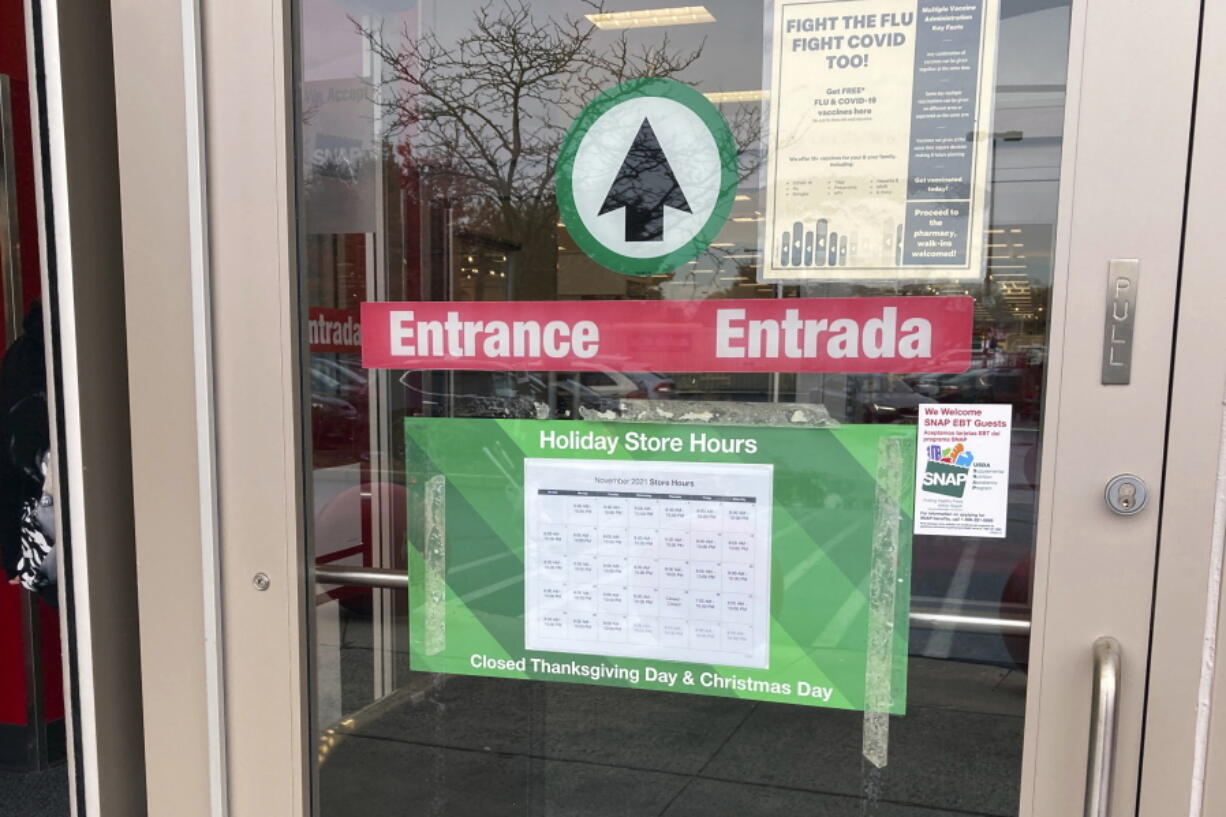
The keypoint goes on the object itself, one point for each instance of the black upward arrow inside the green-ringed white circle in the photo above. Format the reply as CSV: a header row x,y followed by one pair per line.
x,y
644,187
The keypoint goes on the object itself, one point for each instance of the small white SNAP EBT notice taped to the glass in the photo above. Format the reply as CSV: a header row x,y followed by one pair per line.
x,y
963,470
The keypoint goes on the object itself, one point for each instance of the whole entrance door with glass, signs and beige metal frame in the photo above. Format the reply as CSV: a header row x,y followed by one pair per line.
x,y
708,410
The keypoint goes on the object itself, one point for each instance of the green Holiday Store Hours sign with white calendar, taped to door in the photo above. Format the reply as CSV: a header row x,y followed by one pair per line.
x,y
748,562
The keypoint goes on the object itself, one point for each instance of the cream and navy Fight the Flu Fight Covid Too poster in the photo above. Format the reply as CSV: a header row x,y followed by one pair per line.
x,y
881,139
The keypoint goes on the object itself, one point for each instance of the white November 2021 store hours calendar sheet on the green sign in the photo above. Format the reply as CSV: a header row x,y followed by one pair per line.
x,y
649,560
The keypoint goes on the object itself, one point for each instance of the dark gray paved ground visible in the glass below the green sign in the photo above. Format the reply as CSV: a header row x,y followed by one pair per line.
x,y
471,748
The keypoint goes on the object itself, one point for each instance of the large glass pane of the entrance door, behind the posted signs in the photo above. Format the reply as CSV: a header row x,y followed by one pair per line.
x,y
433,154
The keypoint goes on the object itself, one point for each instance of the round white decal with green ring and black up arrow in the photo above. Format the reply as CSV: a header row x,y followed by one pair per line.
x,y
647,176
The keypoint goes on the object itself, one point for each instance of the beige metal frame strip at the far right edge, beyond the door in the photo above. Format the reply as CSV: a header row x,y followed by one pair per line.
x,y
1185,734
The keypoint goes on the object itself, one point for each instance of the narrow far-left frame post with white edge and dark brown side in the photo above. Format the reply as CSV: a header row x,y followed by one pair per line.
x,y
78,181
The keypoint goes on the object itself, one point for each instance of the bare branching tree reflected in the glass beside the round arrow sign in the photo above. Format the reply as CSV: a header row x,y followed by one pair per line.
x,y
480,120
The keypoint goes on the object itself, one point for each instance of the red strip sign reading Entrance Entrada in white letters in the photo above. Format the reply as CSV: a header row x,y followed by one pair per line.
x,y
783,336
